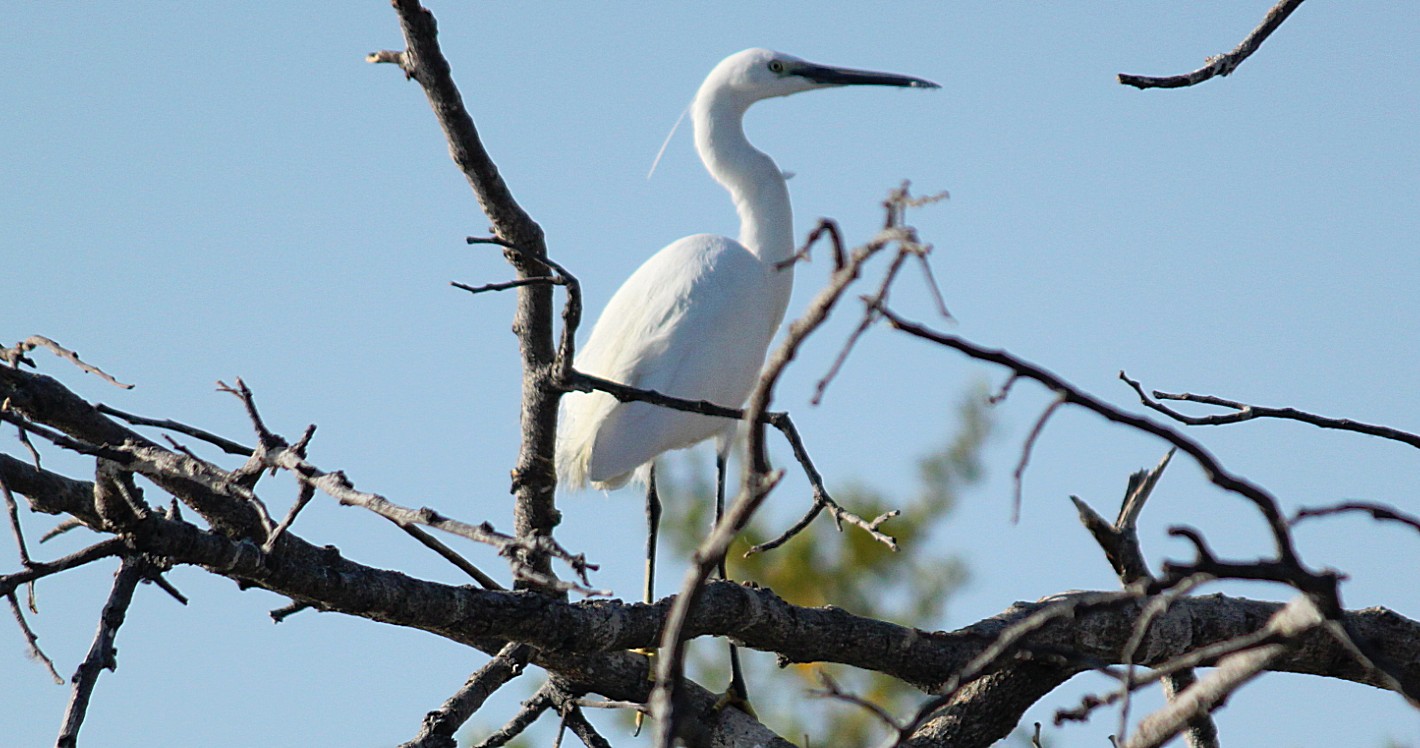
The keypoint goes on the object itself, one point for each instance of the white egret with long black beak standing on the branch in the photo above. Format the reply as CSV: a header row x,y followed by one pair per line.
x,y
697,320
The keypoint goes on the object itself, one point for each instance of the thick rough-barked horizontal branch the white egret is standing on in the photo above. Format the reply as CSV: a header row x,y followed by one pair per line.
x,y
756,618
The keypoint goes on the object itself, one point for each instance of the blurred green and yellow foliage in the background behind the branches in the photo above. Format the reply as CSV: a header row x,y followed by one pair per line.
x,y
848,570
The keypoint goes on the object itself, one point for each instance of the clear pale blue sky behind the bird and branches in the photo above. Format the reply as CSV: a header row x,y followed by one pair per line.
x,y
197,192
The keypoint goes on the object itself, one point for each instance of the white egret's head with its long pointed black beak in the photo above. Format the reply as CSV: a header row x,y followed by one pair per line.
x,y
759,75
